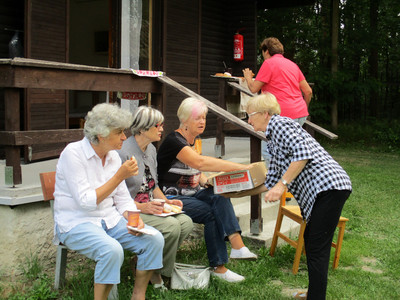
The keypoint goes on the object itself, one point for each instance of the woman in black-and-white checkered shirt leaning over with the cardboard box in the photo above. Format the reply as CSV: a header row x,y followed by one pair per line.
x,y
317,181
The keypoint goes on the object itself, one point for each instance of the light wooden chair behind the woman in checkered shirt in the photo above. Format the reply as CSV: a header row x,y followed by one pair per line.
x,y
293,212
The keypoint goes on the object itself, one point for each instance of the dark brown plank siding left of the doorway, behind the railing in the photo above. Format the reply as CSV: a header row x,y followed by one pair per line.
x,y
47,39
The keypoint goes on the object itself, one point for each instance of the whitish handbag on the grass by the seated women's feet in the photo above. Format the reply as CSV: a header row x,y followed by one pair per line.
x,y
185,276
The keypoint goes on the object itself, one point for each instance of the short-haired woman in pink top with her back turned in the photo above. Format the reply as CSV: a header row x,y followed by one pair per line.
x,y
282,78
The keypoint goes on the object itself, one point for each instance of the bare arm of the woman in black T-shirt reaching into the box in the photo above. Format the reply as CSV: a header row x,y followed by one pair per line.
x,y
207,163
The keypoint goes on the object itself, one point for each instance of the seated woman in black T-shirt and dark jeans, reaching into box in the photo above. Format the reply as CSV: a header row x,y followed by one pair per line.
x,y
180,176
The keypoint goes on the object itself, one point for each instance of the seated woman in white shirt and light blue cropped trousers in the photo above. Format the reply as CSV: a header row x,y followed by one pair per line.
x,y
92,203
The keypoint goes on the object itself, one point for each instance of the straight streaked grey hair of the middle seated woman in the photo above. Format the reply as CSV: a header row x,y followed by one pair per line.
x,y
144,118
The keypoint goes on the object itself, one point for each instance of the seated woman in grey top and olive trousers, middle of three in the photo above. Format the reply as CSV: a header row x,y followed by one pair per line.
x,y
146,128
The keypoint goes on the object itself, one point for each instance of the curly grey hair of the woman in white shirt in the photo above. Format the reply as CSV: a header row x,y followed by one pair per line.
x,y
103,119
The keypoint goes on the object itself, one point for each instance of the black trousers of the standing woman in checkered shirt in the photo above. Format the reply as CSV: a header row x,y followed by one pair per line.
x,y
318,239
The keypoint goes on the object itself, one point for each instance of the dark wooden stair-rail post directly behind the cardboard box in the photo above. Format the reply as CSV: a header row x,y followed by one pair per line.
x,y
256,220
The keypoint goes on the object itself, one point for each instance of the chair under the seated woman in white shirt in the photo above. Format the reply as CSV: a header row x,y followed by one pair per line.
x,y
48,181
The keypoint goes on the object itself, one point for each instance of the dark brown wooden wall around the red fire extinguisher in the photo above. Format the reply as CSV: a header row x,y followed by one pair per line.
x,y
198,37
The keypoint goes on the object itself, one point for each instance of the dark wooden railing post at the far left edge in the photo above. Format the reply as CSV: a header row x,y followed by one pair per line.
x,y
12,123
